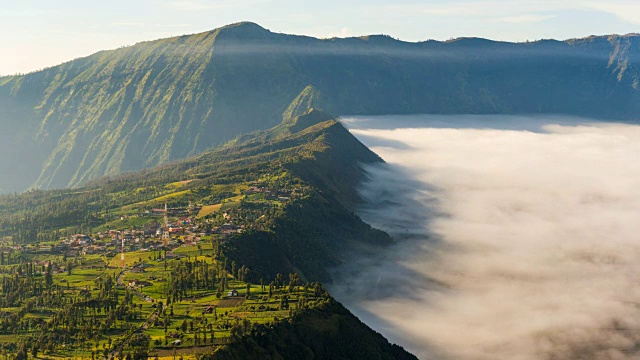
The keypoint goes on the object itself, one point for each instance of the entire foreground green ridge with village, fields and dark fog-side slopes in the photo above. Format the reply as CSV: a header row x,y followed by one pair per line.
x,y
194,257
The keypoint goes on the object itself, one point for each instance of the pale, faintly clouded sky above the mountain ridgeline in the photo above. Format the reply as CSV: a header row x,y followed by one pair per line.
x,y
41,33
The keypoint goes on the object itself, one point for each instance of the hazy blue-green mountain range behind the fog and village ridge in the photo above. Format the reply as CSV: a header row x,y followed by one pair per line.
x,y
159,101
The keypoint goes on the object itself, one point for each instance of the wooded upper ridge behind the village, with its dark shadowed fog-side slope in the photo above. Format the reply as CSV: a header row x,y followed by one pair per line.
x,y
311,152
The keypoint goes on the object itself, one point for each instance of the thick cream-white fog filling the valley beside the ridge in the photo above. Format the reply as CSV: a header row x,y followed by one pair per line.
x,y
519,238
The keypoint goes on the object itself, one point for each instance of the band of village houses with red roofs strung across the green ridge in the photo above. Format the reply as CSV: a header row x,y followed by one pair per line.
x,y
157,229
